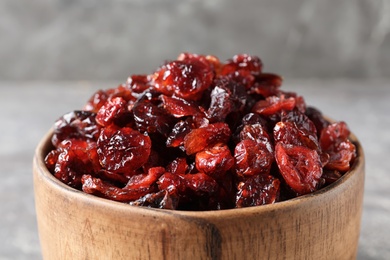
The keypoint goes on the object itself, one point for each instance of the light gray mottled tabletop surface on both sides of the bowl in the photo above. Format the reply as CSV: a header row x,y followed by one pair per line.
x,y
28,110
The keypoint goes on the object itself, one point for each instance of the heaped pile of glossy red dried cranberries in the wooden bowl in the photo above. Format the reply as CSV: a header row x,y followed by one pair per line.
x,y
198,134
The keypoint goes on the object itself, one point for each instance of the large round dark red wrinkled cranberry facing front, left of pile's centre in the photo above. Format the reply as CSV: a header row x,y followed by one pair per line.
x,y
123,150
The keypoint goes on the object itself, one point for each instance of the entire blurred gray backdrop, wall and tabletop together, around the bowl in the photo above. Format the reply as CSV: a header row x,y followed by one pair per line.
x,y
55,53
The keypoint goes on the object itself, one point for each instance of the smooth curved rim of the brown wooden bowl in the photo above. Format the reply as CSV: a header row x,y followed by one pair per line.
x,y
40,169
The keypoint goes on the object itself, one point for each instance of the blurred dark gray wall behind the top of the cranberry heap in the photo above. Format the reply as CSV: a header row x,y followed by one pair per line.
x,y
108,40
